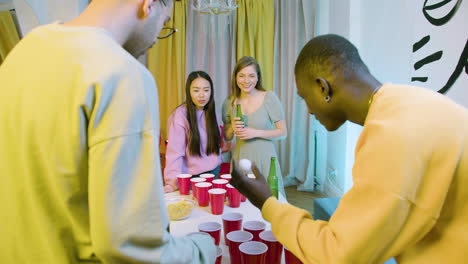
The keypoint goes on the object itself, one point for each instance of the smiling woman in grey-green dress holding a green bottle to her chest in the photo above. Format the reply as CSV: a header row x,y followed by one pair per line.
x,y
263,115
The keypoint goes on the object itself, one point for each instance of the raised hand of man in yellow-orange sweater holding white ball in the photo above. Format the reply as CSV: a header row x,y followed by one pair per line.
x,y
256,190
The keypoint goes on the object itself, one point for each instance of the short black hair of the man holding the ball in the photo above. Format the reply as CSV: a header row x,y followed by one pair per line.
x,y
331,53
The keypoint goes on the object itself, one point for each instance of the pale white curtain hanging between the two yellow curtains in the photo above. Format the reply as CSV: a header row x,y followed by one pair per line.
x,y
210,47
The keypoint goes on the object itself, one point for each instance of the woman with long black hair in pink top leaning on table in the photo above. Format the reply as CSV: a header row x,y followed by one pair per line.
x,y
194,139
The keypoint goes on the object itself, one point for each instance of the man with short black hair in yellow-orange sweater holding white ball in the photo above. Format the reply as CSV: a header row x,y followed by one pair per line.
x,y
409,198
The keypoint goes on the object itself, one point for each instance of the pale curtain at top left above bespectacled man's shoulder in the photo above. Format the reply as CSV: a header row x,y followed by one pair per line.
x,y
32,13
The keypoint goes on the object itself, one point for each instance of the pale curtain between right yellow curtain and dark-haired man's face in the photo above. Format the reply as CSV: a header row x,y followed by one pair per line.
x,y
294,26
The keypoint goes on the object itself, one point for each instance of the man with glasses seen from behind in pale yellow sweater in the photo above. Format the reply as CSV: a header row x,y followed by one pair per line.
x,y
80,174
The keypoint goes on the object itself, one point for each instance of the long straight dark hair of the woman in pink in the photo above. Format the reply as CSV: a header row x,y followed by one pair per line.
x,y
213,135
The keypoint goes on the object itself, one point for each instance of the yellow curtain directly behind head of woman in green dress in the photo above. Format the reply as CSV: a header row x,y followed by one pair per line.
x,y
256,33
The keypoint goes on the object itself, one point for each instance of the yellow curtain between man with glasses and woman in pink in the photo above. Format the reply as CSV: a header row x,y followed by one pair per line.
x,y
166,61
